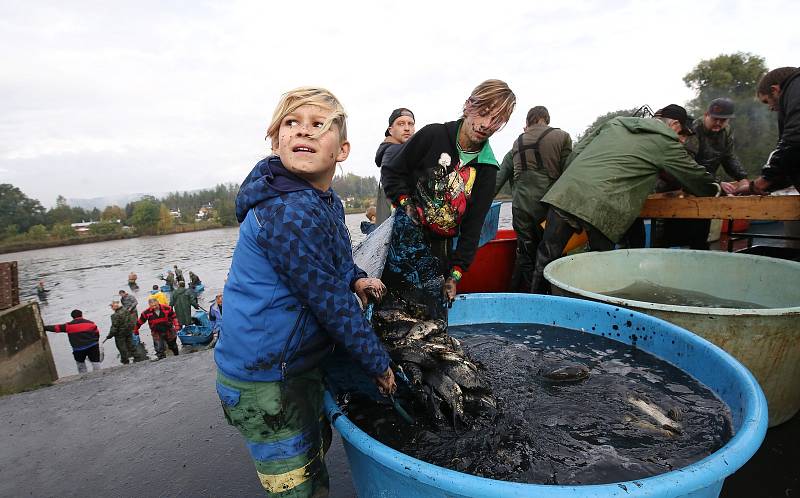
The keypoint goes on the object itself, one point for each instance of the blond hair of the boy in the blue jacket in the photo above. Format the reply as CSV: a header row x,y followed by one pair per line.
x,y
309,95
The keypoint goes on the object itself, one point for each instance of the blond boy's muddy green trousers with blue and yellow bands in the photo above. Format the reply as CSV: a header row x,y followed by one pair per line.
x,y
285,430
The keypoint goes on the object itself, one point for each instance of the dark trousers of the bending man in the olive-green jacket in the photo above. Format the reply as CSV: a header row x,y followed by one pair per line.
x,y
556,235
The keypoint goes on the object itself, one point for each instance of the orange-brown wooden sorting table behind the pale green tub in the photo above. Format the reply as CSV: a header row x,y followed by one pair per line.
x,y
752,207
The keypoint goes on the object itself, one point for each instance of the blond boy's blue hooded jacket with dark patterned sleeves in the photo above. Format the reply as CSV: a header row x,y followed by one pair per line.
x,y
289,290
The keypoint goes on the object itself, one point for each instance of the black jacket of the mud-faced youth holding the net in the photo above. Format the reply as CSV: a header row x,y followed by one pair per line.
x,y
417,158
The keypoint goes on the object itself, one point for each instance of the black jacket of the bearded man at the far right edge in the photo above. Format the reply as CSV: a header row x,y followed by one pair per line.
x,y
783,165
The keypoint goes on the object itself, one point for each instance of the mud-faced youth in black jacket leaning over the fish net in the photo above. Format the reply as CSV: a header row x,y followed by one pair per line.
x,y
443,179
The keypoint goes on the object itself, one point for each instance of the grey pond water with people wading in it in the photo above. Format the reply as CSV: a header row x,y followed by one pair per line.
x,y
89,276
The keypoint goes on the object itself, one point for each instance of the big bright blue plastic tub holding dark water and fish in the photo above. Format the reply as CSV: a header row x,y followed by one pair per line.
x,y
378,470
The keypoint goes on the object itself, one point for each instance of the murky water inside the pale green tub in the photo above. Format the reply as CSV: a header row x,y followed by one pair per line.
x,y
650,292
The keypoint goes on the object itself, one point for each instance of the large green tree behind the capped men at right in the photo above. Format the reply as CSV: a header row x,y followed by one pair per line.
x,y
736,76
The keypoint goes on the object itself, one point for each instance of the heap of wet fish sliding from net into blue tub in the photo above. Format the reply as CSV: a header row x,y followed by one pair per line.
x,y
441,377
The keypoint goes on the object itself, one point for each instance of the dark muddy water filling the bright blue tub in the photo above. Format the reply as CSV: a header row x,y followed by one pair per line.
x,y
635,416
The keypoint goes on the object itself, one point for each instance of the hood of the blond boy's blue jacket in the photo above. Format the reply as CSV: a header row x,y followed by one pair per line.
x,y
268,179
